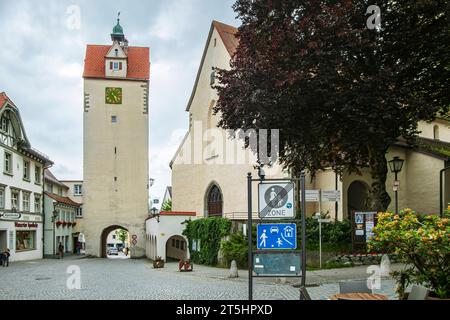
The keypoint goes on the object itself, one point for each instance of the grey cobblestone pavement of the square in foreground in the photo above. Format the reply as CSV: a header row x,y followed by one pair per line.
x,y
103,279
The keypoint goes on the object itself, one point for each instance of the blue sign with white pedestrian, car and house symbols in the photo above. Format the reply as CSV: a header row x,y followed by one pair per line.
x,y
279,236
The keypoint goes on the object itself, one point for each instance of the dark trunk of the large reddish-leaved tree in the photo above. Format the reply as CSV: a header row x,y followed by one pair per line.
x,y
379,199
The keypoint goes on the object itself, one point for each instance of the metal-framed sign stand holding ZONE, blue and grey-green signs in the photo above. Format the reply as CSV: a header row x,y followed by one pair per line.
x,y
276,242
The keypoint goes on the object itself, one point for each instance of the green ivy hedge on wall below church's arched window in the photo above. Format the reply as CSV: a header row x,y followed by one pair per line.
x,y
209,232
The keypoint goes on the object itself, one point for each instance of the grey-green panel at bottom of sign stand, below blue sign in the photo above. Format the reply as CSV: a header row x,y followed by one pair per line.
x,y
277,264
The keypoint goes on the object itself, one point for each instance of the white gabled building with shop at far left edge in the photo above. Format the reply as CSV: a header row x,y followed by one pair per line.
x,y
21,187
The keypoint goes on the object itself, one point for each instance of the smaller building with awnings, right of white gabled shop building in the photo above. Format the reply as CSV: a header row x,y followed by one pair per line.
x,y
60,217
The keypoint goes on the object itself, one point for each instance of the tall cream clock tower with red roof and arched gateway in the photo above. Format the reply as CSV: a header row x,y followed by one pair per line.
x,y
115,141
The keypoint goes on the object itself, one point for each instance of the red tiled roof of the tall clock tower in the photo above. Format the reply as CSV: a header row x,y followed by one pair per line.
x,y
138,62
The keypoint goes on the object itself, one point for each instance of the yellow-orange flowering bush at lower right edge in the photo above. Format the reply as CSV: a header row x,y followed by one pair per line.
x,y
423,243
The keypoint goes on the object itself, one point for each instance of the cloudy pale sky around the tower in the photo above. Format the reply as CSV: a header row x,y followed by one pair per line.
x,y
41,65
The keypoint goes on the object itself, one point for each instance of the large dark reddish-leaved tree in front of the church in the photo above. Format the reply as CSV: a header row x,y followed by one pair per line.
x,y
340,93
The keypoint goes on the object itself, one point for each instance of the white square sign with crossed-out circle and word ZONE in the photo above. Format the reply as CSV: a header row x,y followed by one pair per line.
x,y
276,200
